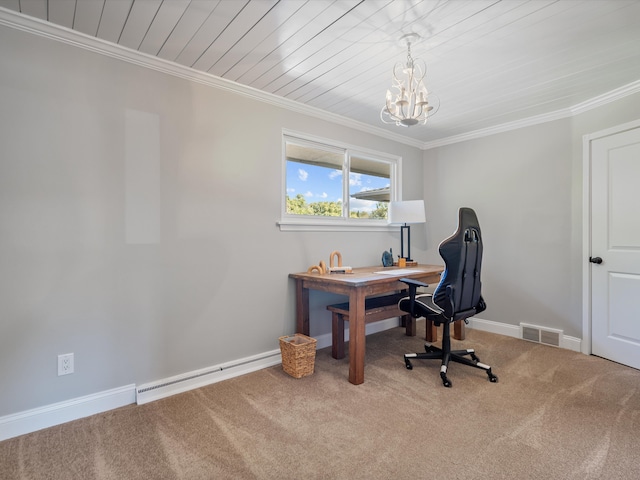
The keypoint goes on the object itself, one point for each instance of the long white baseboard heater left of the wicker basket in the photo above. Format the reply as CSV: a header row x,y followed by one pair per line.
x,y
206,376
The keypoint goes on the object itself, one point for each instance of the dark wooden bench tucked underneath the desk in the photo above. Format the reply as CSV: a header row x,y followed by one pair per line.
x,y
381,308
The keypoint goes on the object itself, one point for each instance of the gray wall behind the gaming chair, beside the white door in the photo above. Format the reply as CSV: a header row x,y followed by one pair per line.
x,y
526,186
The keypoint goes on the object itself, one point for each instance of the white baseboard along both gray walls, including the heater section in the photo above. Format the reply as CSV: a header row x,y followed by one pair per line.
x,y
38,418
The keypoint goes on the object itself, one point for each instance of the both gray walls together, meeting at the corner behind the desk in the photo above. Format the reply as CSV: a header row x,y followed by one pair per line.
x,y
210,285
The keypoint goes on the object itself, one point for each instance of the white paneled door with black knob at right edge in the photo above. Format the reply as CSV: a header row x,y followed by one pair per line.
x,y
615,239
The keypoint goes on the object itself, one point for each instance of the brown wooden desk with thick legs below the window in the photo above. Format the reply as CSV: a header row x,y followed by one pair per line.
x,y
363,282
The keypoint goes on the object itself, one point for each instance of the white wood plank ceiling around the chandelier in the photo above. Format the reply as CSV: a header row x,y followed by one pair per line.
x,y
490,62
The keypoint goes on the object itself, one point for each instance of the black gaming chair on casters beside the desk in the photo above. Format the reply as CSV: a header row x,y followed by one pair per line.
x,y
457,296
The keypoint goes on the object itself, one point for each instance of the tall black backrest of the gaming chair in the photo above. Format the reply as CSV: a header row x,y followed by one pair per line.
x,y
462,255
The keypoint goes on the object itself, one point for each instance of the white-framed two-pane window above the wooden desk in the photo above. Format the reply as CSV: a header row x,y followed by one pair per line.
x,y
327,184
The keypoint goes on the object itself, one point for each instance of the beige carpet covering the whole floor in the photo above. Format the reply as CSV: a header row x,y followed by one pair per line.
x,y
554,414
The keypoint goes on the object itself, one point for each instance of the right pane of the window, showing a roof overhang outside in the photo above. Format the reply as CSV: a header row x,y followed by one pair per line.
x,y
369,188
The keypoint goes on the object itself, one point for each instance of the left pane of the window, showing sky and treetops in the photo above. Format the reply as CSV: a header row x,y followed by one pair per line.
x,y
314,180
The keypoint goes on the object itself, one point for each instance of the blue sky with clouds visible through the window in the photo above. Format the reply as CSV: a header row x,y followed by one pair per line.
x,y
319,184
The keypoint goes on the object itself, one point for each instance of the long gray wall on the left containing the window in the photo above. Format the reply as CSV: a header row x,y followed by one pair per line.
x,y
195,278
